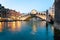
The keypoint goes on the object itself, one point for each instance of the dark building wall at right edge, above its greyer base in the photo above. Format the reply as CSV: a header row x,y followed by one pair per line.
x,y
57,11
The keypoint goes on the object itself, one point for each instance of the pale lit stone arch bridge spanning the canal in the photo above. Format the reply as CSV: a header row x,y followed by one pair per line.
x,y
29,16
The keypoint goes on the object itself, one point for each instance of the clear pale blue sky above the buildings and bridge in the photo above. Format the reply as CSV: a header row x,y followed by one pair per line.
x,y
25,6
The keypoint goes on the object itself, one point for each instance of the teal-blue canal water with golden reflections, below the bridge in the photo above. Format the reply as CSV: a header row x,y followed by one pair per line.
x,y
26,30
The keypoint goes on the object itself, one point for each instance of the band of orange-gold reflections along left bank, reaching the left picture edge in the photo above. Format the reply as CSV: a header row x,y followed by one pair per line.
x,y
11,26
